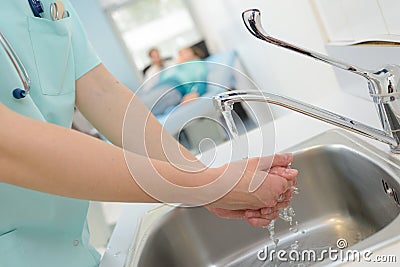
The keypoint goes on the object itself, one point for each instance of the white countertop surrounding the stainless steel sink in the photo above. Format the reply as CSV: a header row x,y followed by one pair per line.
x,y
290,130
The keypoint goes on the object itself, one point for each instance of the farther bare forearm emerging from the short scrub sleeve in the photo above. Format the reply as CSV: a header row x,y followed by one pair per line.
x,y
104,102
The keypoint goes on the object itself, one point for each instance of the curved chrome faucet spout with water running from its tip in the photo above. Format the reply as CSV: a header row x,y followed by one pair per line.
x,y
225,101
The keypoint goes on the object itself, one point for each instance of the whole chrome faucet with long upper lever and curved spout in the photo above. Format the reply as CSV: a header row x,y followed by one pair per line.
x,y
383,87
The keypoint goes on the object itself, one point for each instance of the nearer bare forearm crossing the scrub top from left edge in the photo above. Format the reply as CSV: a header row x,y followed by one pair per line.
x,y
64,162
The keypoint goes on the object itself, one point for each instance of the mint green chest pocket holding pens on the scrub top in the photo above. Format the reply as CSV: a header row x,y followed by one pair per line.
x,y
52,49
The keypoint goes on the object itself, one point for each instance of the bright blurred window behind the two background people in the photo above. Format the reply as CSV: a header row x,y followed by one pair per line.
x,y
143,24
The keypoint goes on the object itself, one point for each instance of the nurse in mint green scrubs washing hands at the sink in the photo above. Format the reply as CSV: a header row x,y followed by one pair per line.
x,y
48,171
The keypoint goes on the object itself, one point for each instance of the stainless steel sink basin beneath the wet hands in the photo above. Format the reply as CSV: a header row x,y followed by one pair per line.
x,y
348,191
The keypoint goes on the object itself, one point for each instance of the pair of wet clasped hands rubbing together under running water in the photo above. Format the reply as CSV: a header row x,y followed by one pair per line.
x,y
262,205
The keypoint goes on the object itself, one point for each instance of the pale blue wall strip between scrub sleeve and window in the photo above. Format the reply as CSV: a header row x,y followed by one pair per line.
x,y
105,42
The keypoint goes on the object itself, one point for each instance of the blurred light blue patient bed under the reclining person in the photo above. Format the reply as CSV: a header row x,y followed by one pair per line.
x,y
183,118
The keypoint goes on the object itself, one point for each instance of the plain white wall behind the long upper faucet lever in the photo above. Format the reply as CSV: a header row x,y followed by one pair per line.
x,y
273,69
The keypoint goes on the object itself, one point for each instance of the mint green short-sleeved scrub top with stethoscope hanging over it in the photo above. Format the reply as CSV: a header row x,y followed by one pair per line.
x,y
37,229
